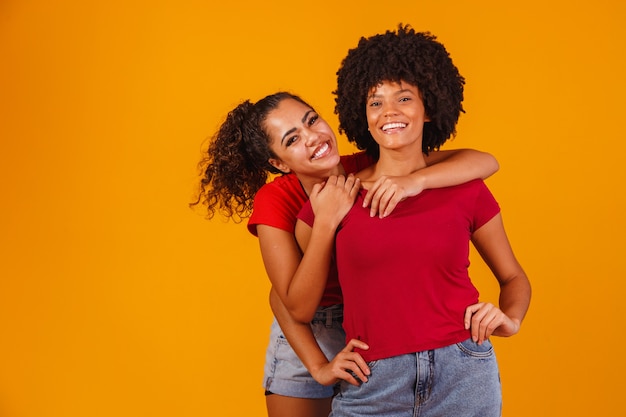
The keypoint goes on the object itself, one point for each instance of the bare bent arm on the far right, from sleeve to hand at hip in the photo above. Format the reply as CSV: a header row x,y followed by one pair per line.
x,y
485,319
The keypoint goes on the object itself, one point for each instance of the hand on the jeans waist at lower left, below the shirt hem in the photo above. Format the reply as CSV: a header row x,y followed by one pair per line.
x,y
345,361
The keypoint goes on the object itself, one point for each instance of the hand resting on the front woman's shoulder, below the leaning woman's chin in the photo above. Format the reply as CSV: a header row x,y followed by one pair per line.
x,y
333,199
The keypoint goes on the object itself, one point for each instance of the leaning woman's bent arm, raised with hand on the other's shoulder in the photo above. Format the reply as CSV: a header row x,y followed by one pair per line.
x,y
299,281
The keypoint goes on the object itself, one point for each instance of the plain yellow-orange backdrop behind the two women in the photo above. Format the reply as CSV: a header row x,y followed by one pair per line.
x,y
118,300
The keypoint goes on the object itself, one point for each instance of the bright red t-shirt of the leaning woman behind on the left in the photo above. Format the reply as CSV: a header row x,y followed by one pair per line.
x,y
277,204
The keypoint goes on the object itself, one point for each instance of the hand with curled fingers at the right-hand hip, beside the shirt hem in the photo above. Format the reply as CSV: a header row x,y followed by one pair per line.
x,y
485,319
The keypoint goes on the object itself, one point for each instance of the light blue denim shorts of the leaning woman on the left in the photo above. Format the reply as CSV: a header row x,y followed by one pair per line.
x,y
284,372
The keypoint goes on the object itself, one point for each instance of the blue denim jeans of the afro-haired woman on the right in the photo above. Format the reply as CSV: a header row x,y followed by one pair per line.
x,y
460,380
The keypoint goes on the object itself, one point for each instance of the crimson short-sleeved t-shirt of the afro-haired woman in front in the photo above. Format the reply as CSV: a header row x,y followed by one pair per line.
x,y
405,278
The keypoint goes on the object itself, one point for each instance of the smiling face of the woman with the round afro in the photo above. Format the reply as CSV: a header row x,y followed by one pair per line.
x,y
396,115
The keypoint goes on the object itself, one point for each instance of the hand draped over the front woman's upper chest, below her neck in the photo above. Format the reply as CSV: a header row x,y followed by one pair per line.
x,y
388,191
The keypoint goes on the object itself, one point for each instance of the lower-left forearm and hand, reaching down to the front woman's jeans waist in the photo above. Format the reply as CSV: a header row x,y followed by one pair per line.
x,y
302,341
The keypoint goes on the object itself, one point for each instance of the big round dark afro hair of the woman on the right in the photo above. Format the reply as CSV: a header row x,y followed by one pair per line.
x,y
409,56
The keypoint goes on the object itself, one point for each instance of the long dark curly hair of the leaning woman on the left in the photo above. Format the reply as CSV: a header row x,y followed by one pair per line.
x,y
236,165
